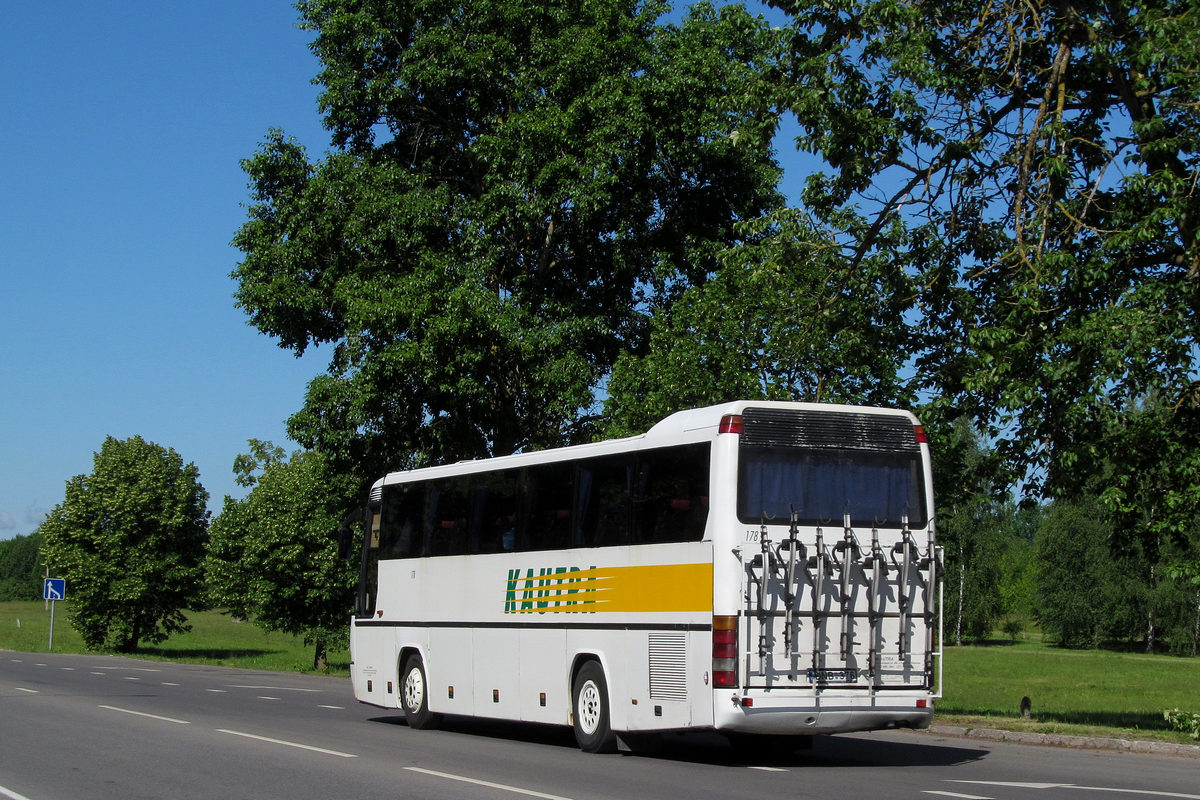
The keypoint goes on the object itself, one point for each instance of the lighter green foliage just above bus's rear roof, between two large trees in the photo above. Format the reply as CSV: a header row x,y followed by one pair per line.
x,y
784,318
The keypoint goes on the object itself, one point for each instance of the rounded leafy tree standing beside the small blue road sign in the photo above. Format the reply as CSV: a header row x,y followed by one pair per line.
x,y
129,539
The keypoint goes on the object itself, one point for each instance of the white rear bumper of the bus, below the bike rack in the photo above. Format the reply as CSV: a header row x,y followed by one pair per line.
x,y
791,714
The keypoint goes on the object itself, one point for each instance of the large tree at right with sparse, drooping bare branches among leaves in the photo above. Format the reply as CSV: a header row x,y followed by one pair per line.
x,y
1034,167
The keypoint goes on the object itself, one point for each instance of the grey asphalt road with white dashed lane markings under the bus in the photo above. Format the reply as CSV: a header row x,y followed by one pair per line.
x,y
101,727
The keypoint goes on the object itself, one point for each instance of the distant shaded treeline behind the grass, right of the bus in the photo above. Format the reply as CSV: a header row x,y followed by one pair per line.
x,y
1064,569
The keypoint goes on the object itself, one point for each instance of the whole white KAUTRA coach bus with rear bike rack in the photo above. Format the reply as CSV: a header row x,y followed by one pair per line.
x,y
755,568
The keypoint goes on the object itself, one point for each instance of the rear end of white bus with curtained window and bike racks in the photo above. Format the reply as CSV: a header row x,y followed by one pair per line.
x,y
827,588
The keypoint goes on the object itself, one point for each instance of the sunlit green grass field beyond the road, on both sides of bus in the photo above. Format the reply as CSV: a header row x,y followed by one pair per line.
x,y
1093,693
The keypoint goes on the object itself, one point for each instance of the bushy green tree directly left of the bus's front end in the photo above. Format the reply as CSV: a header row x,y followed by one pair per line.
x,y
273,556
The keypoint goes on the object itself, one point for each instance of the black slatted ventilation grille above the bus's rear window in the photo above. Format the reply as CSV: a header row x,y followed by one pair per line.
x,y
829,430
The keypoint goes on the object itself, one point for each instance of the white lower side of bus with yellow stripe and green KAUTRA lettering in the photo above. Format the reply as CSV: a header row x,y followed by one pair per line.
x,y
503,630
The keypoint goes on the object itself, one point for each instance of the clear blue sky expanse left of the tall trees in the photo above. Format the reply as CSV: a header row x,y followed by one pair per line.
x,y
122,133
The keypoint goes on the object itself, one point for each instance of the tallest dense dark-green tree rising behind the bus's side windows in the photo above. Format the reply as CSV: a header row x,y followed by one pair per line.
x,y
511,185
